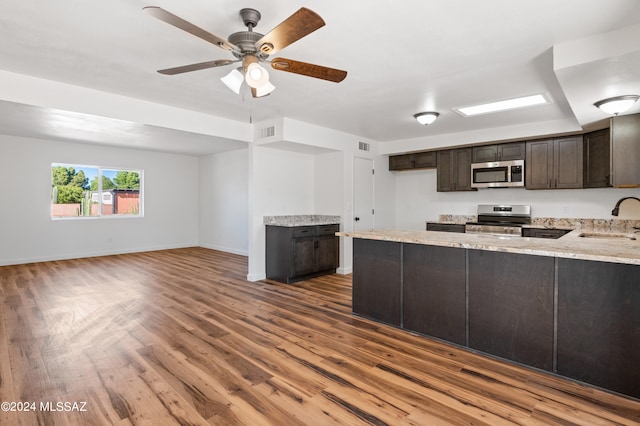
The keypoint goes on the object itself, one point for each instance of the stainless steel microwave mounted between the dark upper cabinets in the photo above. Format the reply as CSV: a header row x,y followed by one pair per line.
x,y
497,174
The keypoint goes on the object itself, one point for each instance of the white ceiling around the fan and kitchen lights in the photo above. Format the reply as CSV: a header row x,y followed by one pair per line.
x,y
402,57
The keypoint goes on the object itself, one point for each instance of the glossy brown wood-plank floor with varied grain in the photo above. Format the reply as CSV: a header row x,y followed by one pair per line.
x,y
180,337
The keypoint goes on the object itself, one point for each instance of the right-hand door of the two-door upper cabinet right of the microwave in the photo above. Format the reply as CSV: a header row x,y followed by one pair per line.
x,y
568,162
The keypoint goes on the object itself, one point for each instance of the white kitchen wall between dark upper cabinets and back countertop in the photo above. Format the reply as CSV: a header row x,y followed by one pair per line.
x,y
417,200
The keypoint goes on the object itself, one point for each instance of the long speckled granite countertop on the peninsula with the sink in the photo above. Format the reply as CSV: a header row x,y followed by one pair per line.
x,y
617,248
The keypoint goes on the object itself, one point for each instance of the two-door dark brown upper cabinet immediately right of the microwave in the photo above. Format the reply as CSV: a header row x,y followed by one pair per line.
x,y
554,163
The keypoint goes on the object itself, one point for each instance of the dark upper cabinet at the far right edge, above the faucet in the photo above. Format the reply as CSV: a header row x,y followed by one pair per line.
x,y
625,151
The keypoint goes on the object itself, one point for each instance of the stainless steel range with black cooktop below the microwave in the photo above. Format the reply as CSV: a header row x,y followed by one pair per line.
x,y
502,220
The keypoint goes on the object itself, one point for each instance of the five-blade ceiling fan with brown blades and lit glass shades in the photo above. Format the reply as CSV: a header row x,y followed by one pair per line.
x,y
251,48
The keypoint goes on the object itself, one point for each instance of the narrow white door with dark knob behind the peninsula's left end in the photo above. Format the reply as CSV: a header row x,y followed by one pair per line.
x,y
362,194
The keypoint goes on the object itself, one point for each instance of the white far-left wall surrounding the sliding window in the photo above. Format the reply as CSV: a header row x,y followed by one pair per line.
x,y
28,234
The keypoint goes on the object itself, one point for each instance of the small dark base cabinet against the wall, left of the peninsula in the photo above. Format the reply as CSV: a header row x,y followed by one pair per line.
x,y
301,252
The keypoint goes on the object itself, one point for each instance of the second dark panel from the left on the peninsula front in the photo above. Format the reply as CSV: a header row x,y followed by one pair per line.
x,y
434,291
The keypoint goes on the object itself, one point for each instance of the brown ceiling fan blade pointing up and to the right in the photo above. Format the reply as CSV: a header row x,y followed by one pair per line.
x,y
296,26
